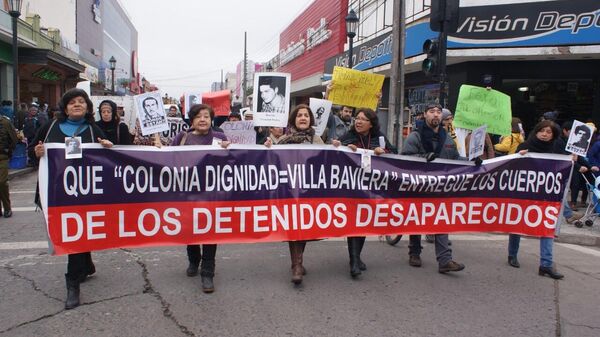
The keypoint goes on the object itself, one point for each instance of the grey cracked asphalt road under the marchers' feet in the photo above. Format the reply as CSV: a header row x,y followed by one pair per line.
x,y
145,292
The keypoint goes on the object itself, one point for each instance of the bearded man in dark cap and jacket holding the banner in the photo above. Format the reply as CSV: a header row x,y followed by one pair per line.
x,y
431,141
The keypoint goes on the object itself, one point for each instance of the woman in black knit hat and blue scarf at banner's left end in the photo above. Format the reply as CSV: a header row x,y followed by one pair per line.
x,y
76,119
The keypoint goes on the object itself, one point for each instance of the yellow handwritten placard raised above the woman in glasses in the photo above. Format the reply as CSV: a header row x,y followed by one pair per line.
x,y
355,88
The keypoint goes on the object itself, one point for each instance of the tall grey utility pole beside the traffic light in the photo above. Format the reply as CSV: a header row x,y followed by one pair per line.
x,y
396,93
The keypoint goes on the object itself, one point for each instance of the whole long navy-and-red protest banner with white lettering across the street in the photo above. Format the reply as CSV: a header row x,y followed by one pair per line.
x,y
204,194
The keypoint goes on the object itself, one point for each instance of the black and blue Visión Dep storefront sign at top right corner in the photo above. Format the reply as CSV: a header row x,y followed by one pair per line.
x,y
528,24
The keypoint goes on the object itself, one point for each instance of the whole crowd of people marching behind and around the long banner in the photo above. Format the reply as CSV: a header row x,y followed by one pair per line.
x,y
356,128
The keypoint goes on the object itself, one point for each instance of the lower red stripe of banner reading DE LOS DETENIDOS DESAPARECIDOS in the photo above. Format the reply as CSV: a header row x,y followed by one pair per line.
x,y
75,229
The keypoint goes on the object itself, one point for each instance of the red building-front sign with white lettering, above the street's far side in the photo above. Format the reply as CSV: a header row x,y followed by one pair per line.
x,y
314,36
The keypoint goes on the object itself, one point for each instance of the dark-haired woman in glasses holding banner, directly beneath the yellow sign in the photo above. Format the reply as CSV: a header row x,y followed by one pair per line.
x,y
364,134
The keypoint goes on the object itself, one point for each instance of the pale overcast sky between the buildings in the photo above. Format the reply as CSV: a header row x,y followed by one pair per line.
x,y
184,44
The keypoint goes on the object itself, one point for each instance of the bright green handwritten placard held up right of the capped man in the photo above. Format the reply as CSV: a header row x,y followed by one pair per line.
x,y
480,106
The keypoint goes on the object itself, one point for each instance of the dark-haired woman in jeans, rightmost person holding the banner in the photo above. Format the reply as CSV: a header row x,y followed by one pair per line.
x,y
541,140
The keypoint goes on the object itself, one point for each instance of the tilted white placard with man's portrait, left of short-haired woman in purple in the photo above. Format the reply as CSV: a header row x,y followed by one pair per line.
x,y
151,113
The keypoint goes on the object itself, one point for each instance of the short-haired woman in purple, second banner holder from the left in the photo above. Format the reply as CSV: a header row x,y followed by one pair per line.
x,y
201,133
